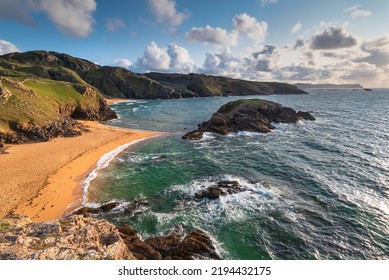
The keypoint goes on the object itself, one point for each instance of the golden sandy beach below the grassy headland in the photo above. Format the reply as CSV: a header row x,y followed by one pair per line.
x,y
40,180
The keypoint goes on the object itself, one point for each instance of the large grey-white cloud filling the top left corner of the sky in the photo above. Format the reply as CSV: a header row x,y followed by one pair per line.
x,y
73,17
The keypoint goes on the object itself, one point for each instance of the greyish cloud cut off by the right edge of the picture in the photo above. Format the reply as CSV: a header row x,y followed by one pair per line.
x,y
378,52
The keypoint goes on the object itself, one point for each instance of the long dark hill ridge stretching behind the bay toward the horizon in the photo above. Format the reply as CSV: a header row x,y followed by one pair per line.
x,y
116,82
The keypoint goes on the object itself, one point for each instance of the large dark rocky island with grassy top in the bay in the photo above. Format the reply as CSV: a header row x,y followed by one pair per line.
x,y
253,115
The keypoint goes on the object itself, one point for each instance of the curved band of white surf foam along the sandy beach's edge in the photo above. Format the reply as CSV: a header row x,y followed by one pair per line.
x,y
103,163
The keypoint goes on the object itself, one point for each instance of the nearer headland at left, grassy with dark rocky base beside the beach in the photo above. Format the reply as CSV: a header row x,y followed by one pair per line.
x,y
41,102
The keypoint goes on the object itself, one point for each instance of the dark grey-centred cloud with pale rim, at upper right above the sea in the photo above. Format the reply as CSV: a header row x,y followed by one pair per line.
x,y
334,38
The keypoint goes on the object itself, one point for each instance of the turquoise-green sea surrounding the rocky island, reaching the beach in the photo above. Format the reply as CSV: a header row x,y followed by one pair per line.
x,y
314,190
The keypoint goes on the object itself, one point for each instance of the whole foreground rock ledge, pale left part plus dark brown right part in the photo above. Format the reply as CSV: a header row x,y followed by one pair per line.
x,y
86,238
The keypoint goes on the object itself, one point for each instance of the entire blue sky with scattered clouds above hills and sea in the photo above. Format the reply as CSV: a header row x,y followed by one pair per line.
x,y
332,41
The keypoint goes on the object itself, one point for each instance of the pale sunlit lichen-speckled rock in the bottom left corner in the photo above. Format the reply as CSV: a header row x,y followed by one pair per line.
x,y
75,237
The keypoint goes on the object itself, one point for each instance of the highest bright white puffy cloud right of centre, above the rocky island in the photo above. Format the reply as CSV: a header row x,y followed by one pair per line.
x,y
250,26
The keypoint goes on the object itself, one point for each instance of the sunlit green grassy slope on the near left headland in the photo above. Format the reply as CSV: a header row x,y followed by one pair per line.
x,y
35,101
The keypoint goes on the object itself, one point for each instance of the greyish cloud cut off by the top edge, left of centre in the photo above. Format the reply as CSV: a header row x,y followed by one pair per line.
x,y
166,13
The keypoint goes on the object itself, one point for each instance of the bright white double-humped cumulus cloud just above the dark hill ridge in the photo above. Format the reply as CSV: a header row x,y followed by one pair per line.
x,y
174,58
